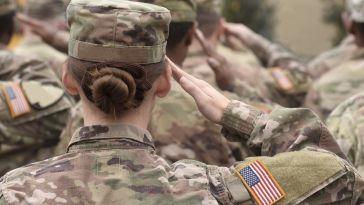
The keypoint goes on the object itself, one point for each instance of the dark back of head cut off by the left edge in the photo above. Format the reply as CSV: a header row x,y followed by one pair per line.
x,y
7,11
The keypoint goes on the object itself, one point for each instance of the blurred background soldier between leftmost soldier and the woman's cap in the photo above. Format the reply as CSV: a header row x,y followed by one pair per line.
x,y
51,13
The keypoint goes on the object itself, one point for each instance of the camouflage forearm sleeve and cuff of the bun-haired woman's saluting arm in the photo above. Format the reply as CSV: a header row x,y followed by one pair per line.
x,y
280,131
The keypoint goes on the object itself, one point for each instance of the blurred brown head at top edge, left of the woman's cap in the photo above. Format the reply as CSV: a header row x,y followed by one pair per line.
x,y
44,10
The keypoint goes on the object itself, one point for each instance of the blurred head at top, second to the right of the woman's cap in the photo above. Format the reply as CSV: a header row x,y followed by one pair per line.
x,y
208,15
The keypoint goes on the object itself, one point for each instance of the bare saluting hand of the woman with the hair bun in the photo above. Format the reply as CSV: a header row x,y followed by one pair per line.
x,y
209,101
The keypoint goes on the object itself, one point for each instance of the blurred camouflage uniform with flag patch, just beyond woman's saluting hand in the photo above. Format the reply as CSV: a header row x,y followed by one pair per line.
x,y
286,84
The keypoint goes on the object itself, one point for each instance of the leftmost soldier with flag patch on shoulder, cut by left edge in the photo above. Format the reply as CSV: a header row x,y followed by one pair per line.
x,y
32,103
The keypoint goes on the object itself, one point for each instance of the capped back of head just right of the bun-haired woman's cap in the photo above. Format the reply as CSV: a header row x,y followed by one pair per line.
x,y
183,14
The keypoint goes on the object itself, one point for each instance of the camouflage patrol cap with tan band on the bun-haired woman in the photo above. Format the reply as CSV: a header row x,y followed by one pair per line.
x,y
117,31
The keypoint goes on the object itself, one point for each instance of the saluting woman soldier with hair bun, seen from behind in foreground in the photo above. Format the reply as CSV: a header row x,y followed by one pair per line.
x,y
112,160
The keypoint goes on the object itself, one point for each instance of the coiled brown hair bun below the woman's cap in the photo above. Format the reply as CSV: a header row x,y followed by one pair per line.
x,y
113,90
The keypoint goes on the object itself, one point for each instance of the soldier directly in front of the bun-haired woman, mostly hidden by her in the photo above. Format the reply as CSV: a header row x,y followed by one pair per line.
x,y
179,133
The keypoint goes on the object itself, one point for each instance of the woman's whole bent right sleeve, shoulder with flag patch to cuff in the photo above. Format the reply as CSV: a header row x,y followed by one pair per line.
x,y
295,151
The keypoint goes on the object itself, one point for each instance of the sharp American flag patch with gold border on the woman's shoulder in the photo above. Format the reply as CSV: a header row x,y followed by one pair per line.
x,y
261,184
